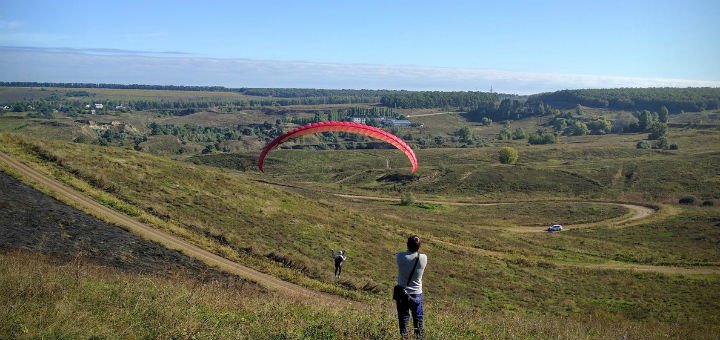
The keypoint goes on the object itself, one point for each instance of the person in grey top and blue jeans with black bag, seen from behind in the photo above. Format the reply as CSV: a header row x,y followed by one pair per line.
x,y
411,266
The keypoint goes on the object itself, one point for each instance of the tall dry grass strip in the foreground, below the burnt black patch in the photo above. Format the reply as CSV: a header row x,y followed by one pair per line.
x,y
80,300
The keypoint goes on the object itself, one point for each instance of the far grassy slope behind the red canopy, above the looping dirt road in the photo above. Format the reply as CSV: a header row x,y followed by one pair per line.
x,y
598,167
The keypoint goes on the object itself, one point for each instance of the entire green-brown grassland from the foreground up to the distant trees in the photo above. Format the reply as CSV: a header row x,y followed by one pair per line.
x,y
492,271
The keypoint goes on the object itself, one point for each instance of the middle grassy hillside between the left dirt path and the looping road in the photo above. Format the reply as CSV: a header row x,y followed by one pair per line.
x,y
475,267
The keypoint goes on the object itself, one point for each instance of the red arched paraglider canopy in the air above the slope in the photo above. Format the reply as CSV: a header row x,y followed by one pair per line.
x,y
342,127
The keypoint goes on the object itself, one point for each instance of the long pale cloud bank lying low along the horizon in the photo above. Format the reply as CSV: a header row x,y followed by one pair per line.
x,y
121,66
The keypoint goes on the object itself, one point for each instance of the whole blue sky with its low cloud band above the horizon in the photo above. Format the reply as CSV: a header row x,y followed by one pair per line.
x,y
511,46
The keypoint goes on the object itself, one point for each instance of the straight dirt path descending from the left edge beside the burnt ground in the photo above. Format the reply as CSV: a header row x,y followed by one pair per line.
x,y
92,207
